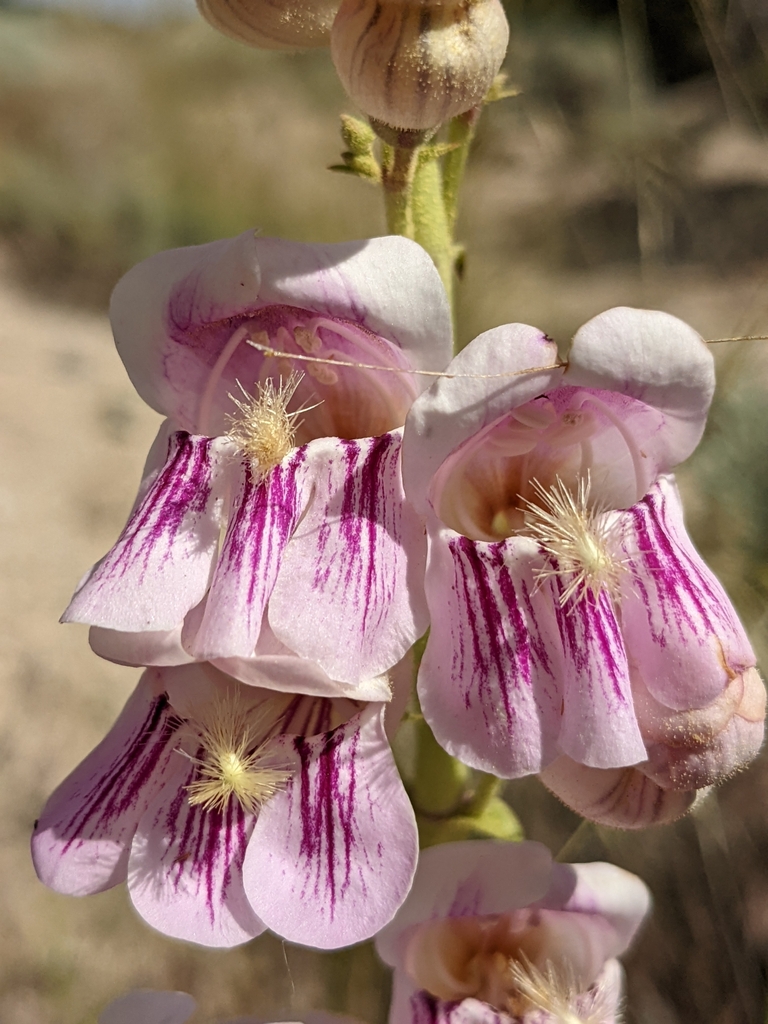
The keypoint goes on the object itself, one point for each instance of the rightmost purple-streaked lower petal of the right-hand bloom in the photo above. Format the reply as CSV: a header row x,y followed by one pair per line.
x,y
680,629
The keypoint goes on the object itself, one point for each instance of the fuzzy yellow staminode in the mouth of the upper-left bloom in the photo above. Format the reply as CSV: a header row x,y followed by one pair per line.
x,y
264,430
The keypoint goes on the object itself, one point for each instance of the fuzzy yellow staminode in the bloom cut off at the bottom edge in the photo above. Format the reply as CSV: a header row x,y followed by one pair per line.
x,y
557,993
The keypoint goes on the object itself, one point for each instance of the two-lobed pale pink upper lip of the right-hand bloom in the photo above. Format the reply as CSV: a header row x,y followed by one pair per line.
x,y
648,377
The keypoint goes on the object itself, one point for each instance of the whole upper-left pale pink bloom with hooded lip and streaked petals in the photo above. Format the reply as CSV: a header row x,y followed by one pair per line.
x,y
316,533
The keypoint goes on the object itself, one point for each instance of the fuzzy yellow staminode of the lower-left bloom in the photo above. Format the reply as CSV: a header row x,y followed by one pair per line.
x,y
233,762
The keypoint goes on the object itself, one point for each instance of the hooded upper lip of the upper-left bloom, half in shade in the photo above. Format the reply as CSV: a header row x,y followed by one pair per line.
x,y
182,318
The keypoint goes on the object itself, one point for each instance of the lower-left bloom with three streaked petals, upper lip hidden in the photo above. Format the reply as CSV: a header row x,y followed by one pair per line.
x,y
230,809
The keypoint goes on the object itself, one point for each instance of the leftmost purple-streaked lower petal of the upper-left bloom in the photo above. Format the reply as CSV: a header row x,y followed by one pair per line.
x,y
160,567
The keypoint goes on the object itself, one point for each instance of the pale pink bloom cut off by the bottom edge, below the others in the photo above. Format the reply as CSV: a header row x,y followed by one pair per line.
x,y
494,933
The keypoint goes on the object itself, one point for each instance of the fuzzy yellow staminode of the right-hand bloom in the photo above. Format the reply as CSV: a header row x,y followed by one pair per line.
x,y
579,536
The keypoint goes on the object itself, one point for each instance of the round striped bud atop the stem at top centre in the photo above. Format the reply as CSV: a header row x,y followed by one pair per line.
x,y
414,64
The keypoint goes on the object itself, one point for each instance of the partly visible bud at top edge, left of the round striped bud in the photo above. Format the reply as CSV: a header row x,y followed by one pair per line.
x,y
273,25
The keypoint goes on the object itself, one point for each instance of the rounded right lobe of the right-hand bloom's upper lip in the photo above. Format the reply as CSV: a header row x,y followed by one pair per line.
x,y
654,358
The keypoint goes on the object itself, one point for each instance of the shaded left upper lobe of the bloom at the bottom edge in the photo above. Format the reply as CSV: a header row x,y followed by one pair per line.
x,y
468,880
